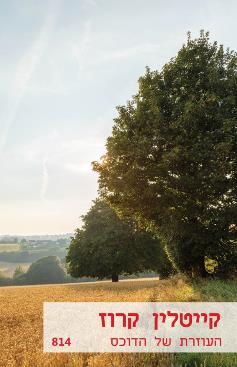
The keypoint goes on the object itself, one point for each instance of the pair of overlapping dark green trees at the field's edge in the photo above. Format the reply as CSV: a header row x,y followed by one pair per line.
x,y
168,179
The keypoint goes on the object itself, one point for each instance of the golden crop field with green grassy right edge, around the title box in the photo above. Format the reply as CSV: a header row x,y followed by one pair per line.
x,y
22,327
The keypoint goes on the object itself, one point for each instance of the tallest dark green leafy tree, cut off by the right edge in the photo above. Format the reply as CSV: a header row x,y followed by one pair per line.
x,y
171,161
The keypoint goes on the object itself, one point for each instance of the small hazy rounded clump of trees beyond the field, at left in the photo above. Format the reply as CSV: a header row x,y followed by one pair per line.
x,y
43,271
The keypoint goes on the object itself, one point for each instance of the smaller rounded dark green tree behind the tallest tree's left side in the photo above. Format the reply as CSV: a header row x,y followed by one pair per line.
x,y
106,247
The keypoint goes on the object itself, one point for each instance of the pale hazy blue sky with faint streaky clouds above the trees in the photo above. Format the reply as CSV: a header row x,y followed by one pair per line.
x,y
64,67
